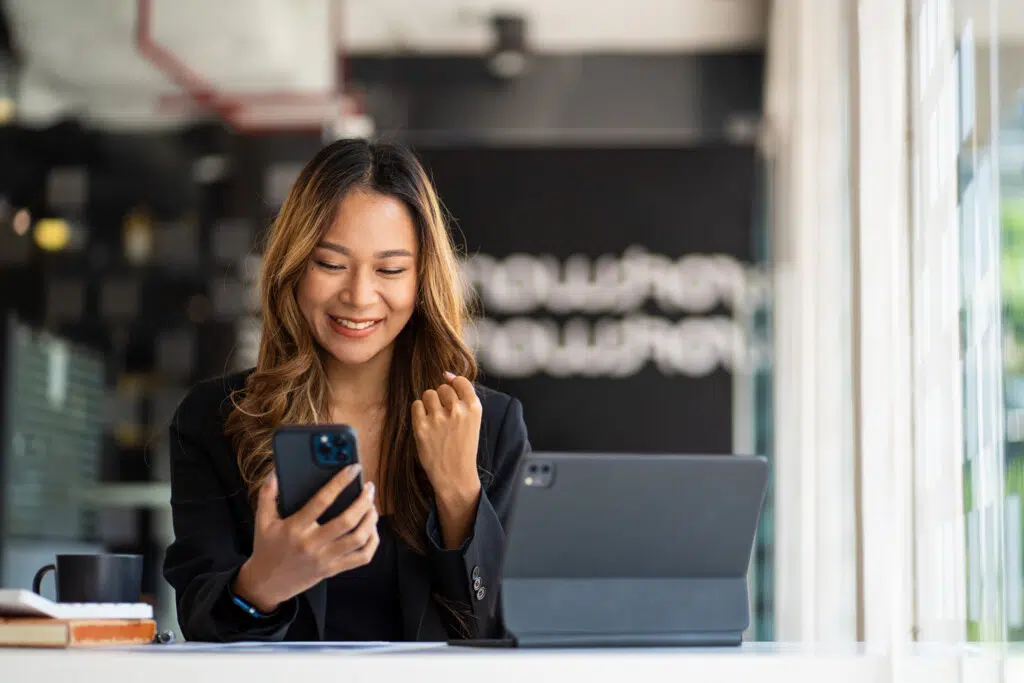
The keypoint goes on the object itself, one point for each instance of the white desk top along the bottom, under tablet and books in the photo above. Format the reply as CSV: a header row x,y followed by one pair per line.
x,y
766,663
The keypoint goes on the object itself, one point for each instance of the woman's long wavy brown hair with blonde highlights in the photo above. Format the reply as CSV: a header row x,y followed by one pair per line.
x,y
289,385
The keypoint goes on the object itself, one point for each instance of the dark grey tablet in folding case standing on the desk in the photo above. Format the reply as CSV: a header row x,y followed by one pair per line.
x,y
626,549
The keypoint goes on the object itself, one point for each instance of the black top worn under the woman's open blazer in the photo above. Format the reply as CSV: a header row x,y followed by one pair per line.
x,y
363,604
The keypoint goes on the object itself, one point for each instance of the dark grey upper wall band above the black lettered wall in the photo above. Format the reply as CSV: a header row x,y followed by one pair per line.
x,y
565,99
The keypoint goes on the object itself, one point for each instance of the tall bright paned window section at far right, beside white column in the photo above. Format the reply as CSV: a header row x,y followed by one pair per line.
x,y
961,510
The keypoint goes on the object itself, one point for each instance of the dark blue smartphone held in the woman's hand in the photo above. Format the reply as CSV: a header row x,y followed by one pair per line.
x,y
308,457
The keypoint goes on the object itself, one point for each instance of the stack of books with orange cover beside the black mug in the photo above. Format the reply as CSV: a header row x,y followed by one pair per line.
x,y
28,620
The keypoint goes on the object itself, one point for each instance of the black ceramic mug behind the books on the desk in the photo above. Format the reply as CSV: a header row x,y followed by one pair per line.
x,y
102,578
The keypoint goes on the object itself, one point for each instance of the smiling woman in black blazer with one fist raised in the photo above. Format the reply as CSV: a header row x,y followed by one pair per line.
x,y
363,311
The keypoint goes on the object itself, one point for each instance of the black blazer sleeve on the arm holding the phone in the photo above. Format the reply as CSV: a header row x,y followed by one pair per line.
x,y
203,561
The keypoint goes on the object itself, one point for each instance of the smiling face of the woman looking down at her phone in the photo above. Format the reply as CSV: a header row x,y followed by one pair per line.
x,y
360,287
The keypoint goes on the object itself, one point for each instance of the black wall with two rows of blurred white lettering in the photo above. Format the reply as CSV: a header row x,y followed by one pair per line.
x,y
646,388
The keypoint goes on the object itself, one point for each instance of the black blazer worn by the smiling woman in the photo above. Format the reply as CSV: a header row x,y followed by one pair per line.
x,y
215,525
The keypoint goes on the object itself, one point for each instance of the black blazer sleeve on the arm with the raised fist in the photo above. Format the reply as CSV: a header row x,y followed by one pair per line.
x,y
468,578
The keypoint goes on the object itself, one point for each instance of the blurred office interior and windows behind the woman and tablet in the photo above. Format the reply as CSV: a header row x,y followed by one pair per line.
x,y
789,228
